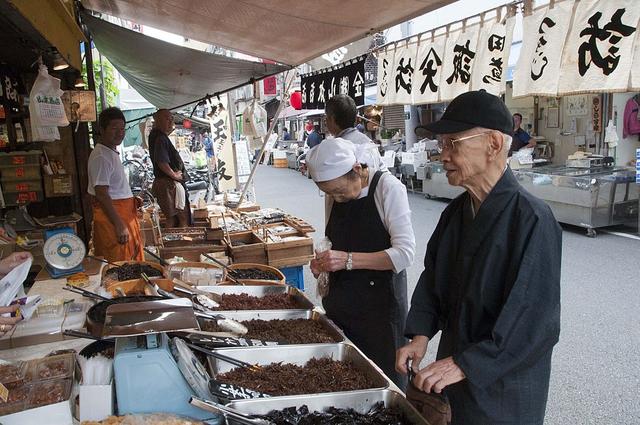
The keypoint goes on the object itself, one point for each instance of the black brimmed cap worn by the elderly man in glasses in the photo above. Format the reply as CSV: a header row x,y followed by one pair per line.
x,y
469,110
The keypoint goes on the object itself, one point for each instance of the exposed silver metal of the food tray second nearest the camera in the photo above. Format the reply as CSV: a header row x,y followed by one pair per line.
x,y
299,355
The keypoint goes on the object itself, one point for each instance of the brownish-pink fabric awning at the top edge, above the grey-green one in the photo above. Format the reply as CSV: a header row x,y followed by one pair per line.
x,y
287,31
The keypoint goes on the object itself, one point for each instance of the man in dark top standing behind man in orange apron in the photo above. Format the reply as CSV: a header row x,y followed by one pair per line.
x,y
169,186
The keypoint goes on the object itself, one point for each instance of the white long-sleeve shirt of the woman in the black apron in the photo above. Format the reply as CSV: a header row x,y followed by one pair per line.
x,y
392,204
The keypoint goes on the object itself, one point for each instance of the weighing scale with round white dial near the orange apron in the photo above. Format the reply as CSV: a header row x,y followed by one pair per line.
x,y
63,251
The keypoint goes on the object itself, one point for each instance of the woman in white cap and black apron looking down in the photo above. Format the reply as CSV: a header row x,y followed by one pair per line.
x,y
371,234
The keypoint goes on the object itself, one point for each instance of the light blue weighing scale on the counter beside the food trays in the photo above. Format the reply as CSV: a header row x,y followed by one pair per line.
x,y
150,379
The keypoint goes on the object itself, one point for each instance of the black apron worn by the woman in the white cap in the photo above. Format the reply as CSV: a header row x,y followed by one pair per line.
x,y
362,302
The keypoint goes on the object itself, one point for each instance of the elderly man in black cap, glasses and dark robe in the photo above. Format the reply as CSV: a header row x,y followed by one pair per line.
x,y
491,282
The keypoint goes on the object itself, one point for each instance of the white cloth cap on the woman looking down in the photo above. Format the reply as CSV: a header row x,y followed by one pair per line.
x,y
332,158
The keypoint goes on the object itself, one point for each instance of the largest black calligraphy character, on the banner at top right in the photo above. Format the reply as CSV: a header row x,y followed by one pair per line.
x,y
613,32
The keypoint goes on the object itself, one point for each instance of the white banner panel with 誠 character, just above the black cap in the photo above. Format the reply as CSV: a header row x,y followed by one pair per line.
x,y
459,56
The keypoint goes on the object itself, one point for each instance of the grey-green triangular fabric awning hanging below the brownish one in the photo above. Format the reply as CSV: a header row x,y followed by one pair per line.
x,y
166,74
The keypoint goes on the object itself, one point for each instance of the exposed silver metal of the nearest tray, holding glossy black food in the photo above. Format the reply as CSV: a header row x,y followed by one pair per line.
x,y
361,401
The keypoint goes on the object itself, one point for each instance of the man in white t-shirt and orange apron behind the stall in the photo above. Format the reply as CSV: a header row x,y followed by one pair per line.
x,y
116,231
